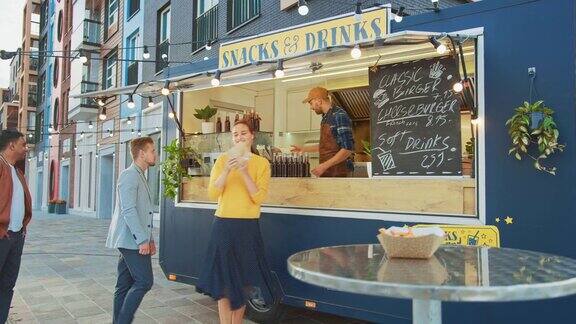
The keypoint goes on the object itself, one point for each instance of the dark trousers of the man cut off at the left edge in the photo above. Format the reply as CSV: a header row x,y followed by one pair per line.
x,y
10,257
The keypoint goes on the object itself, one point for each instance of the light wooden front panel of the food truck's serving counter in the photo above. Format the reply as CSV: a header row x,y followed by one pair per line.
x,y
442,196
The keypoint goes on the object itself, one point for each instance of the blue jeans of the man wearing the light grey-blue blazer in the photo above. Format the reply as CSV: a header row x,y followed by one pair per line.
x,y
135,279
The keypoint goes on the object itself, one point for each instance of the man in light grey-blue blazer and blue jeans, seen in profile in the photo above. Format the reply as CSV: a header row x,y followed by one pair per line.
x,y
131,232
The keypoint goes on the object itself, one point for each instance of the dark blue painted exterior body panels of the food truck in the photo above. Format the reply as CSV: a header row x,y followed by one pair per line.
x,y
518,34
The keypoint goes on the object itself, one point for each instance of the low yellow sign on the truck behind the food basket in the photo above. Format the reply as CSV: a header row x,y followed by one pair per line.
x,y
486,235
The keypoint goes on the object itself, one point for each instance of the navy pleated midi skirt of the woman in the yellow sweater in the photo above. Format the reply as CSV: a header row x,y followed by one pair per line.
x,y
235,266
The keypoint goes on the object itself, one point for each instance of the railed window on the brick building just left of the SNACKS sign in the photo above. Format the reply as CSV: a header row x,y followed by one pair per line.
x,y
205,23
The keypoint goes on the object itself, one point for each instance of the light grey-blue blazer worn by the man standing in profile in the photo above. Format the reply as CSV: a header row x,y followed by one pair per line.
x,y
131,223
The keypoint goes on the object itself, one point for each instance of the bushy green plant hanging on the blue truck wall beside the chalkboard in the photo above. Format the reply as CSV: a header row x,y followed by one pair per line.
x,y
526,130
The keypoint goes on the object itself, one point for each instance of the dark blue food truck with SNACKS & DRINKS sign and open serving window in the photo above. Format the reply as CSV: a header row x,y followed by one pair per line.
x,y
431,95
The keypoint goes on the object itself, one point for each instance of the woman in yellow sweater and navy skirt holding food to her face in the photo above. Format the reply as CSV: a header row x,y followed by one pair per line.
x,y
235,267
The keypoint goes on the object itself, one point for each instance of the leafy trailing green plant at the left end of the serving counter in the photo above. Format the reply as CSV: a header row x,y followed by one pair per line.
x,y
180,162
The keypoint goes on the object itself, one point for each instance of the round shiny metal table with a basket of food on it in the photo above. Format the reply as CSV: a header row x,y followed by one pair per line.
x,y
454,273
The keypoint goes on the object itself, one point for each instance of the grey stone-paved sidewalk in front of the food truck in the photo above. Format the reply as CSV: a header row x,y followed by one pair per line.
x,y
68,276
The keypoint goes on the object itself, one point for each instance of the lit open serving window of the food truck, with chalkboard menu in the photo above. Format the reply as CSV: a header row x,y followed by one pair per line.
x,y
404,110
